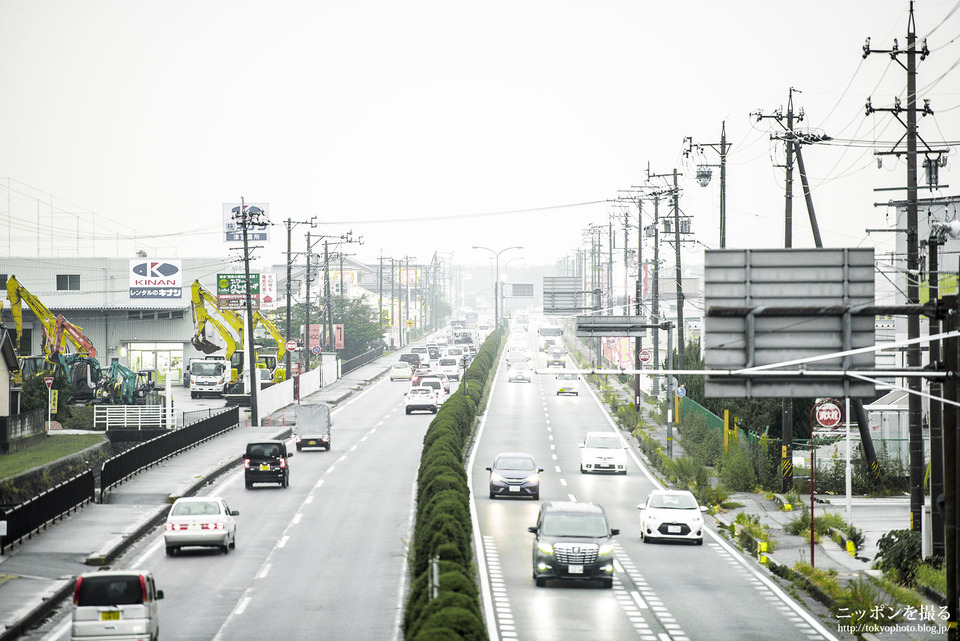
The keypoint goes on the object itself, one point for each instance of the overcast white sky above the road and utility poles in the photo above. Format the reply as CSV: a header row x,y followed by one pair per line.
x,y
128,119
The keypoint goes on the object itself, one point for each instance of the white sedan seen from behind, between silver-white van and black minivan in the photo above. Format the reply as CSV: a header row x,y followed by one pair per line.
x,y
202,521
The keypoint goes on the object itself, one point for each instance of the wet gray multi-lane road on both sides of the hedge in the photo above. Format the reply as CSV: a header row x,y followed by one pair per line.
x,y
327,557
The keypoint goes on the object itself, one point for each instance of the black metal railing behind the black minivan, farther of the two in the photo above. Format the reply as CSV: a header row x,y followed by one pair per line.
x,y
117,469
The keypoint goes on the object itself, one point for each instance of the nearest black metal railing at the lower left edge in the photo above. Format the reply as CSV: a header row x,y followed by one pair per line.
x,y
34,514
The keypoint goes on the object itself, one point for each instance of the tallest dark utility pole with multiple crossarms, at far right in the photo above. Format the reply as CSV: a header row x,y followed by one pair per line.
x,y
913,255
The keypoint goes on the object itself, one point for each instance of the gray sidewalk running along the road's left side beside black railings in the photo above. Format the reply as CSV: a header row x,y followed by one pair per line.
x,y
37,574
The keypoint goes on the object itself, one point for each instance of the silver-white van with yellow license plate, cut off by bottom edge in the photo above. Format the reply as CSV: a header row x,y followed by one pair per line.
x,y
116,604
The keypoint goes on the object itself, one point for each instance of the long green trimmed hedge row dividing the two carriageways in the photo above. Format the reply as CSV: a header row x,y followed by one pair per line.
x,y
443,528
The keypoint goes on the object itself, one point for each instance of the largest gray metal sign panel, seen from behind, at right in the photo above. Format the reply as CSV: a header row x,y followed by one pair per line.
x,y
746,325
